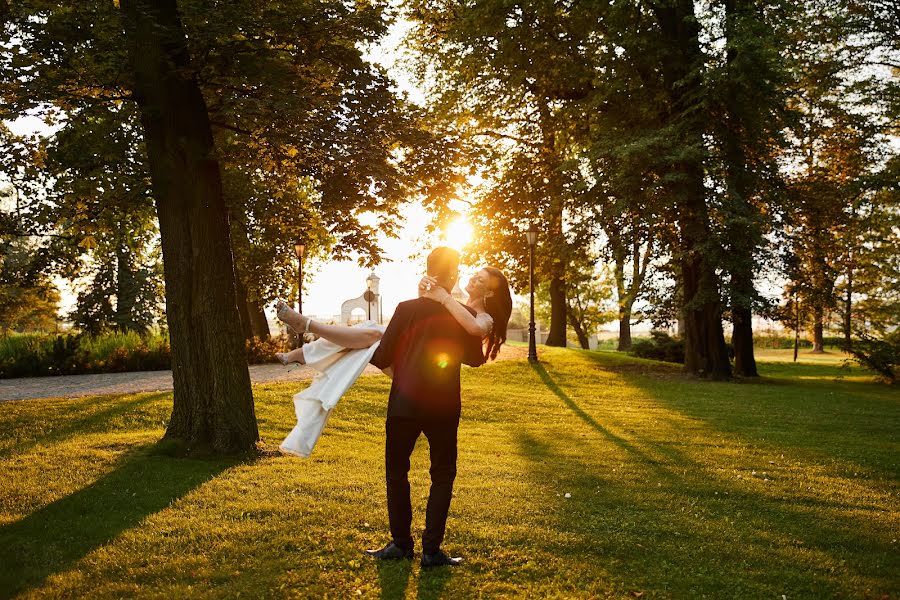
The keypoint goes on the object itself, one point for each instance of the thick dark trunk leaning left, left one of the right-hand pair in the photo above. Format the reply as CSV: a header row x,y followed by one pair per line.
x,y
705,351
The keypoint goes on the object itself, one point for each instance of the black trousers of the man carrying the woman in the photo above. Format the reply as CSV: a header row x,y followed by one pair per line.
x,y
402,433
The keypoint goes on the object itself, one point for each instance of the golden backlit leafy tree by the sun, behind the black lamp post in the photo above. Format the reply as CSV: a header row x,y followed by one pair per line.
x,y
500,76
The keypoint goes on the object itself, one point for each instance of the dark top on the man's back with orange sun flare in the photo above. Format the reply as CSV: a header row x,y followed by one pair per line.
x,y
426,346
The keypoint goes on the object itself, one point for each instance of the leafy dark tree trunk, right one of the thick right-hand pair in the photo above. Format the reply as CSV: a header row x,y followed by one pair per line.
x,y
747,89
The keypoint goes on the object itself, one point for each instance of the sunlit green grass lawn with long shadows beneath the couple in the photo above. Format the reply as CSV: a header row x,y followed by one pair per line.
x,y
590,475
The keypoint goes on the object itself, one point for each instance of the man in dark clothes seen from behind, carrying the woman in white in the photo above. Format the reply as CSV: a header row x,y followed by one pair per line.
x,y
425,347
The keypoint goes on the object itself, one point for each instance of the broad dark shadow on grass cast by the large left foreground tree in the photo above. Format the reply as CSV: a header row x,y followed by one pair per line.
x,y
53,539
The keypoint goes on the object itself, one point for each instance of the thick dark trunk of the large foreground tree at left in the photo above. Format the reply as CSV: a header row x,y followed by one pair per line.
x,y
213,404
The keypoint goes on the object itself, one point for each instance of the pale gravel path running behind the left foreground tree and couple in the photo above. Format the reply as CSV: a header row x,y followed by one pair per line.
x,y
72,386
